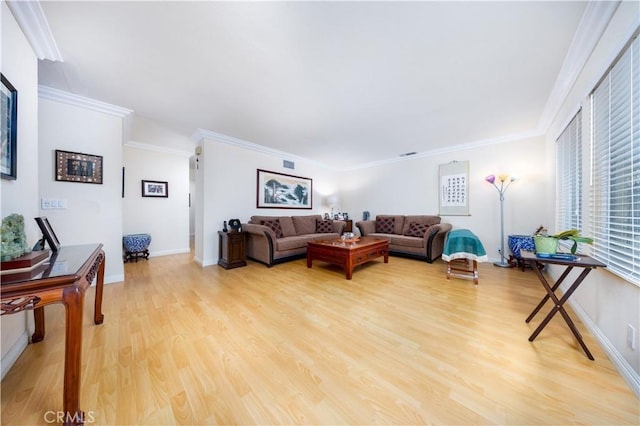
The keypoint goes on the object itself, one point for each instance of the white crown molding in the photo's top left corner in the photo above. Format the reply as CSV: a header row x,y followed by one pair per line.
x,y
34,25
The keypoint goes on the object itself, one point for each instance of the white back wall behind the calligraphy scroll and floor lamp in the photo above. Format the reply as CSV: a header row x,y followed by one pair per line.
x,y
410,186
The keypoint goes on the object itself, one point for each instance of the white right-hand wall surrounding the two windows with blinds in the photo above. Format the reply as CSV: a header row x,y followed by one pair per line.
x,y
605,302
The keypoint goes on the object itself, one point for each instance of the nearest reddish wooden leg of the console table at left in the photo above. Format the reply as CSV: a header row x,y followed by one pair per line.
x,y
73,299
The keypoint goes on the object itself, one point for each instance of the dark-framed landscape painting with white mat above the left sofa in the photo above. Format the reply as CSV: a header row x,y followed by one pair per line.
x,y
281,191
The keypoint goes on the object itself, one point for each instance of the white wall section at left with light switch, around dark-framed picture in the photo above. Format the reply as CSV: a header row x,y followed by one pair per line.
x,y
94,212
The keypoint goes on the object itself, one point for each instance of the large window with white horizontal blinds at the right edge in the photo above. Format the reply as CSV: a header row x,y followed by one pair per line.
x,y
615,165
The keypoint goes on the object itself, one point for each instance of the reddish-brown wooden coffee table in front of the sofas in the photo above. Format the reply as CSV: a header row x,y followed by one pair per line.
x,y
348,254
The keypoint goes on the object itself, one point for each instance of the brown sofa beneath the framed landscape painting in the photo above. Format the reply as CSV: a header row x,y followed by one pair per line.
x,y
264,245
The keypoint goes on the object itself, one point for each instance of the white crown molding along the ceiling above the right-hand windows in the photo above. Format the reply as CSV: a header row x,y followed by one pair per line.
x,y
595,19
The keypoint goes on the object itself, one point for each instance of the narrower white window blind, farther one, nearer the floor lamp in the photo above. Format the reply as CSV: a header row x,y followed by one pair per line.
x,y
569,175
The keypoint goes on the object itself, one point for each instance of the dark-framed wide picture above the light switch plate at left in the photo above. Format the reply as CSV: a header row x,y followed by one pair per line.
x,y
78,167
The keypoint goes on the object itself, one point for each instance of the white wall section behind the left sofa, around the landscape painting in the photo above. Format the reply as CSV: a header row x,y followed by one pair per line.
x,y
226,188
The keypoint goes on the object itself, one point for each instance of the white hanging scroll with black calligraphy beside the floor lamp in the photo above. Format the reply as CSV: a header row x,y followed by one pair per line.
x,y
454,188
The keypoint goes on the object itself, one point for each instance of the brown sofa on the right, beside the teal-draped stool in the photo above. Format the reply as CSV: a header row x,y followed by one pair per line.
x,y
404,233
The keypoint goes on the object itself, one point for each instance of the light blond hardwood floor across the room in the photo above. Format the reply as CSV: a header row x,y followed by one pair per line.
x,y
398,344
